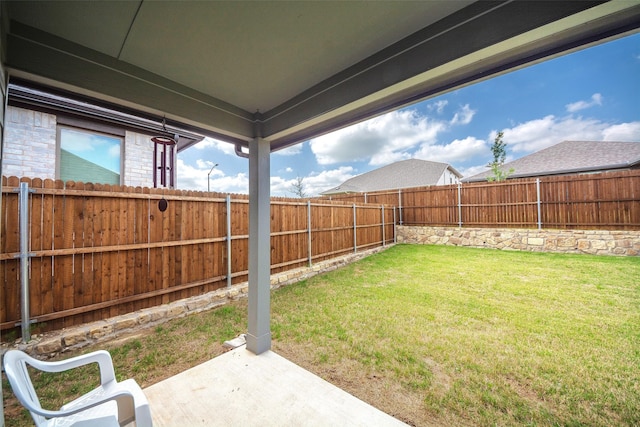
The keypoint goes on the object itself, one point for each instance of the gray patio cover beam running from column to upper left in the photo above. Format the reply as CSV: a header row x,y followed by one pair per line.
x,y
38,56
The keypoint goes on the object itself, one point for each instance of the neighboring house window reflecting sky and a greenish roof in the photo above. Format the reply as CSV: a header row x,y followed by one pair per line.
x,y
89,156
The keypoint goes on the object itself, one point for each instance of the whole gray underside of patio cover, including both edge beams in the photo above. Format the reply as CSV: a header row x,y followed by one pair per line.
x,y
287,71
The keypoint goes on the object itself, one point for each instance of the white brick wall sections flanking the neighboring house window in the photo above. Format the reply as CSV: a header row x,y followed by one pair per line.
x,y
30,149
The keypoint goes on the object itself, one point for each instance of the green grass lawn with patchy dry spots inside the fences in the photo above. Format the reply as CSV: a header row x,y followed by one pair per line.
x,y
439,335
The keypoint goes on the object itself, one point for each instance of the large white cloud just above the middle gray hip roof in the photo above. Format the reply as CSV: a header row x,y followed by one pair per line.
x,y
380,140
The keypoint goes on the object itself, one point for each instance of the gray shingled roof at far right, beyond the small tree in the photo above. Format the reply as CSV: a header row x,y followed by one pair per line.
x,y
572,157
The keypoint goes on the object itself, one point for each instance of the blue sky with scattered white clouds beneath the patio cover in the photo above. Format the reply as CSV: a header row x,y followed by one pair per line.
x,y
592,94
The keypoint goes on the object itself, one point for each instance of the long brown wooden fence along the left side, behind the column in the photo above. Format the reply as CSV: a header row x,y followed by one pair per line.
x,y
96,251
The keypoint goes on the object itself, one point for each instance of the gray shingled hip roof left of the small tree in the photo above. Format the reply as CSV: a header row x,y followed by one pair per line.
x,y
403,174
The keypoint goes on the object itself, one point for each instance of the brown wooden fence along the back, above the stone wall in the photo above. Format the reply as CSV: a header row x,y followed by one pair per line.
x,y
609,201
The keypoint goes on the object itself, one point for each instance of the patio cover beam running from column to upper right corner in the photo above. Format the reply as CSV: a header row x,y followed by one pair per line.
x,y
482,47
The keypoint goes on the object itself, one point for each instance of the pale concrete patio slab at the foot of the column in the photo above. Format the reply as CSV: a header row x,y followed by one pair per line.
x,y
239,388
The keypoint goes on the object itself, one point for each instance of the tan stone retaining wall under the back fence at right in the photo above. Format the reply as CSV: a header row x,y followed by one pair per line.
x,y
597,242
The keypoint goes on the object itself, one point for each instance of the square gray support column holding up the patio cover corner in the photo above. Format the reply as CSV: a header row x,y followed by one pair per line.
x,y
259,334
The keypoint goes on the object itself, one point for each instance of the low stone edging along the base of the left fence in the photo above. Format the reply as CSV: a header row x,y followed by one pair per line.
x,y
52,343
